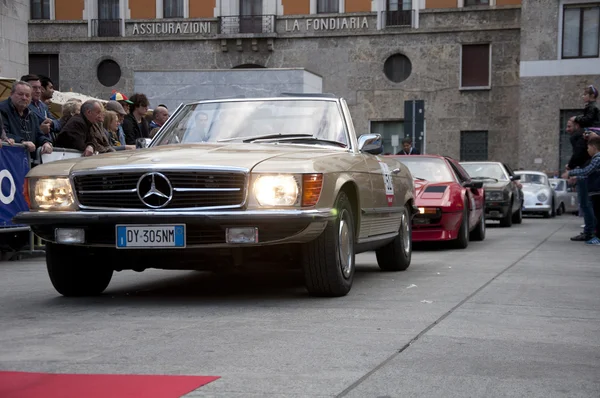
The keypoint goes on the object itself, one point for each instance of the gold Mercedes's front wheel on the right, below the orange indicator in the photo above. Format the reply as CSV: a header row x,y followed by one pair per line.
x,y
329,261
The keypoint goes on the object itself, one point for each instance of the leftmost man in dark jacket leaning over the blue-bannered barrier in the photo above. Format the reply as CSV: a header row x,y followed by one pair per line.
x,y
20,124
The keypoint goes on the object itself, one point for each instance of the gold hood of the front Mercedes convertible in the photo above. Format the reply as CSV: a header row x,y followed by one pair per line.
x,y
236,156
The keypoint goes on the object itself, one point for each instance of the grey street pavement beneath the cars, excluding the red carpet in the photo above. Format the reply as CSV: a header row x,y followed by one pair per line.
x,y
517,315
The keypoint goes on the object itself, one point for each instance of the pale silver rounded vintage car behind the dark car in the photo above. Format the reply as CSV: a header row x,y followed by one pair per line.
x,y
539,197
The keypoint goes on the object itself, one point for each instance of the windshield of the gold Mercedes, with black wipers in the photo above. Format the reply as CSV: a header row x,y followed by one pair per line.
x,y
256,121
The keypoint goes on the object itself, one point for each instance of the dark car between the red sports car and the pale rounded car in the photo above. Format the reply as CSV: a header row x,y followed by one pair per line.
x,y
503,195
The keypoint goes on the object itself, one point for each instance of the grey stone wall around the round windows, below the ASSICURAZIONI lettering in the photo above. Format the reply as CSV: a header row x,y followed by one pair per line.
x,y
351,65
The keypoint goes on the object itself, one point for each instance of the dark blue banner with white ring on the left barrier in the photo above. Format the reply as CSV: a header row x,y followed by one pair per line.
x,y
15,163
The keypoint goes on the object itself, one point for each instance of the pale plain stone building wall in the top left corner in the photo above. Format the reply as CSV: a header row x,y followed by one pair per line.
x,y
14,56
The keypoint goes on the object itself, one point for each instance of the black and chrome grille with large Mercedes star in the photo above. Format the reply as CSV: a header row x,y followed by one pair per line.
x,y
161,190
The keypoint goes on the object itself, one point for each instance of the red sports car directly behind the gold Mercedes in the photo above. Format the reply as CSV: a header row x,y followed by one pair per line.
x,y
451,205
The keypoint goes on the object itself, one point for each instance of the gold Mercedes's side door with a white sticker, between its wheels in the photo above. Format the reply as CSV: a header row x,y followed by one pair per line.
x,y
388,192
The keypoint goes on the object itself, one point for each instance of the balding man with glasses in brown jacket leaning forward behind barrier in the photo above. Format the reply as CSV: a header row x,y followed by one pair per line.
x,y
84,131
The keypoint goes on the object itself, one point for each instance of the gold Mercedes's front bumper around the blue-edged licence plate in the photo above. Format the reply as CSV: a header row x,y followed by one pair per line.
x,y
204,229
